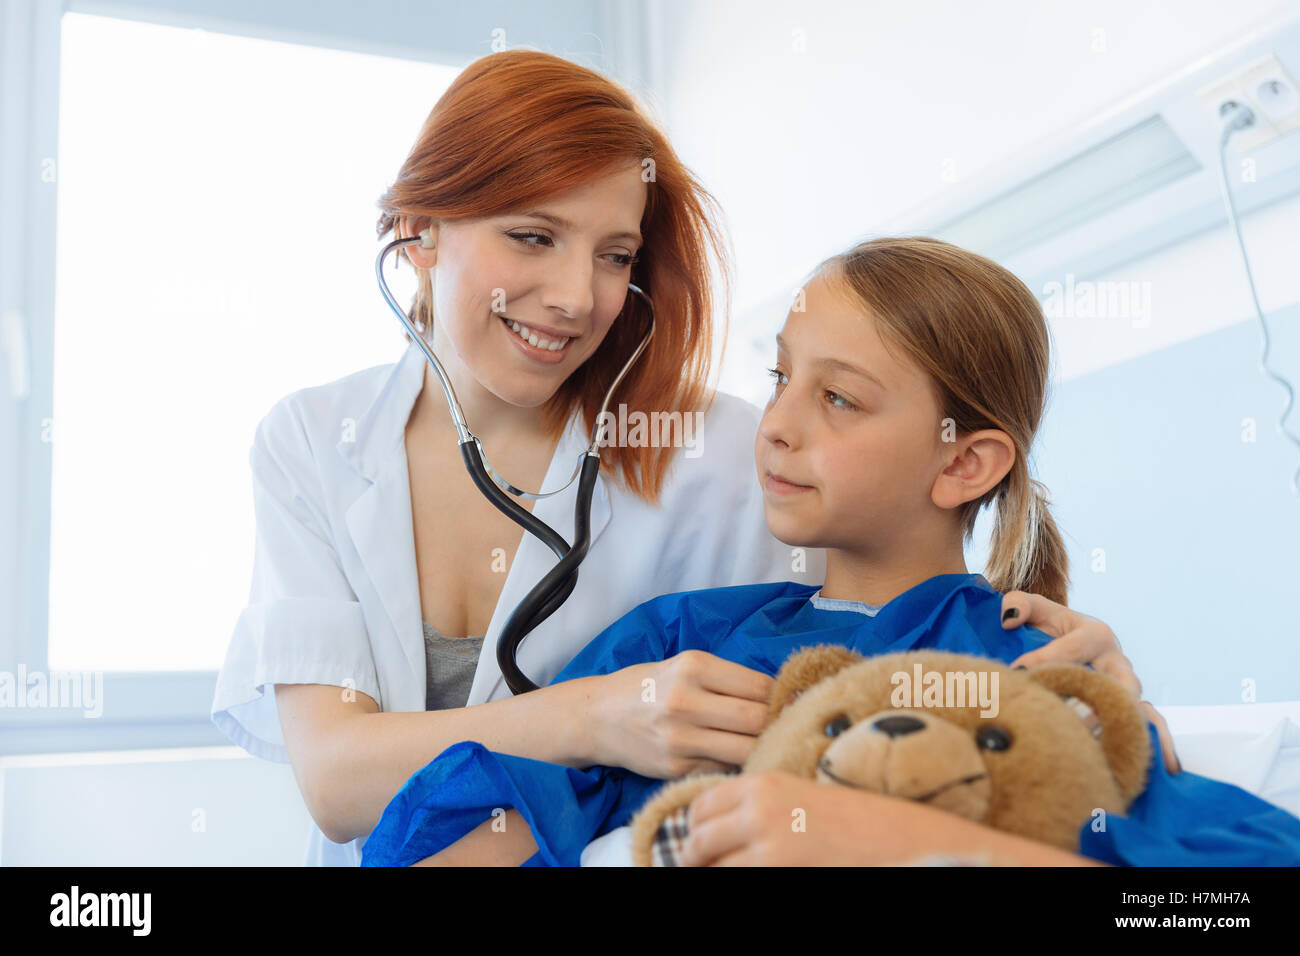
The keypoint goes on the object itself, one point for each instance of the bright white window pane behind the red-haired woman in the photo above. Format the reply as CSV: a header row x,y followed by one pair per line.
x,y
215,252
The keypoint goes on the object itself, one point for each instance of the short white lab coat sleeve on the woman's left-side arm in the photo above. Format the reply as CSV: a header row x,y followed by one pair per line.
x,y
304,625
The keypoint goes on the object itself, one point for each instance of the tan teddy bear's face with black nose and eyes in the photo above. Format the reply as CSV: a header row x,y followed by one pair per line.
x,y
1033,764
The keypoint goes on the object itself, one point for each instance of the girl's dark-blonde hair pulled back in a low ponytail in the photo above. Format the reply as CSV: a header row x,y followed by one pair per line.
x,y
980,335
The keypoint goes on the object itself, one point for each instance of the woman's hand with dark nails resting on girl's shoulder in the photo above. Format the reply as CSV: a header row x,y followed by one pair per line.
x,y
1081,639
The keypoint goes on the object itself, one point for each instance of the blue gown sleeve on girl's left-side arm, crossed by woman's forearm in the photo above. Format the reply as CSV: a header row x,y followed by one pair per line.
x,y
566,808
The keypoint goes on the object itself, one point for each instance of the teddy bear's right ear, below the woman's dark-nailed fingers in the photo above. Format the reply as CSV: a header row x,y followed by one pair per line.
x,y
1111,713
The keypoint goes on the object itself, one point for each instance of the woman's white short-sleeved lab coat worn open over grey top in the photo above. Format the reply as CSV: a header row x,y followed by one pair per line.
x,y
336,598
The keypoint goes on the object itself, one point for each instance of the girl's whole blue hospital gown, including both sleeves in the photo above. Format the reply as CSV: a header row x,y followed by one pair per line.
x,y
1178,820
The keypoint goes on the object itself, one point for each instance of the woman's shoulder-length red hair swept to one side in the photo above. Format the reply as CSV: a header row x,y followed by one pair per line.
x,y
519,127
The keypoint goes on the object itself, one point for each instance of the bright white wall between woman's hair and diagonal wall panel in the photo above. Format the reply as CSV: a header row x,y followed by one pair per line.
x,y
816,124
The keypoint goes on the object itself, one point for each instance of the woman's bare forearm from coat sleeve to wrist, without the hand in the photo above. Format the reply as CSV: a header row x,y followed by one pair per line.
x,y
350,759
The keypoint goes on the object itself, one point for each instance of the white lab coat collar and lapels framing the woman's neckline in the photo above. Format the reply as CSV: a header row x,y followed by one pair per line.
x,y
382,525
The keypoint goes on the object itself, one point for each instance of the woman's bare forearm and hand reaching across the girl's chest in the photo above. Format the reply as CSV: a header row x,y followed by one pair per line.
x,y
350,759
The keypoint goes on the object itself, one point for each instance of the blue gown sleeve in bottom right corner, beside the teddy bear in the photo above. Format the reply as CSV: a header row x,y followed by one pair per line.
x,y
1186,820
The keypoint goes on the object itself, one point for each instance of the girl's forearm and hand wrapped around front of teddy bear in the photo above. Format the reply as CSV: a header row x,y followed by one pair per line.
x,y
781,820
